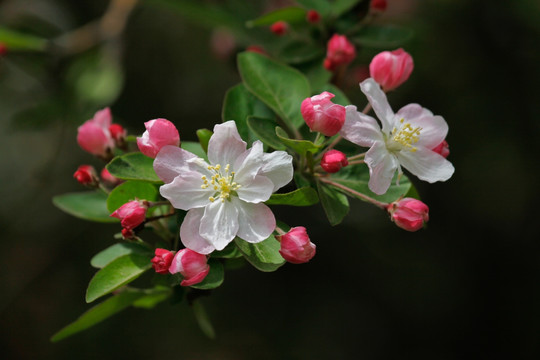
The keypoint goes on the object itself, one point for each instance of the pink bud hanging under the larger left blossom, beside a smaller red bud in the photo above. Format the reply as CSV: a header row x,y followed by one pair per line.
x,y
191,265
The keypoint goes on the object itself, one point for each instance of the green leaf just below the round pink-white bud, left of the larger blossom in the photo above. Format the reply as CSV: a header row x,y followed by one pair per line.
x,y
133,166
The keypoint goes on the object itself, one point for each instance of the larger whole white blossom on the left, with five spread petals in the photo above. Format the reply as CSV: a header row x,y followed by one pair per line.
x,y
224,198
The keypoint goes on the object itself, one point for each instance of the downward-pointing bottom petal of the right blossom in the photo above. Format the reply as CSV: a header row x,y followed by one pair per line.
x,y
382,167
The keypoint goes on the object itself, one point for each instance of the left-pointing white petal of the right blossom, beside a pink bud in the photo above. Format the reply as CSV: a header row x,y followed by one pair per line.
x,y
360,129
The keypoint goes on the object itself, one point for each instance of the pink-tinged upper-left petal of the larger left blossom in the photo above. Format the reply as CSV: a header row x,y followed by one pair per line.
x,y
171,161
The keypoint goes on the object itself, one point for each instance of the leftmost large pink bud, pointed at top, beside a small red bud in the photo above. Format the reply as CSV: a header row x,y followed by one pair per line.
x,y
94,136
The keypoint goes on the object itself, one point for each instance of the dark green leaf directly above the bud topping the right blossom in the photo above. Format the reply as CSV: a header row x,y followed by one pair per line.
x,y
382,36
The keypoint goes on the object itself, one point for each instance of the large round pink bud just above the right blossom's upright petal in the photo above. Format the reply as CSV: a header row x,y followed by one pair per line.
x,y
391,68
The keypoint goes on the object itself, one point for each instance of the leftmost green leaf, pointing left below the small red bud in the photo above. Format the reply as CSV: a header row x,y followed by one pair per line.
x,y
88,205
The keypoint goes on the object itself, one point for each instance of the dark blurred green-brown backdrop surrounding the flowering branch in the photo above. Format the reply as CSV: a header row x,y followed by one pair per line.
x,y
465,287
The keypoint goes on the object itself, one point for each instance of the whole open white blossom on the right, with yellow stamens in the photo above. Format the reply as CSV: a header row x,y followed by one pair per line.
x,y
406,139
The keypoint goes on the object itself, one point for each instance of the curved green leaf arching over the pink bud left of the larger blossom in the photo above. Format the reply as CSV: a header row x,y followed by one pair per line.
x,y
131,190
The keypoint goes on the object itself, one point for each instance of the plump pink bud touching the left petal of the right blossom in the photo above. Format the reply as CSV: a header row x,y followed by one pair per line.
x,y
322,115
